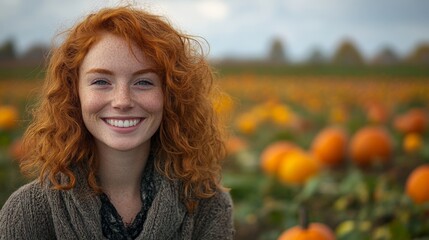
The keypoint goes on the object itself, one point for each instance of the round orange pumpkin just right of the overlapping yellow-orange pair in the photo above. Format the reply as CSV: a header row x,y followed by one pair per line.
x,y
329,146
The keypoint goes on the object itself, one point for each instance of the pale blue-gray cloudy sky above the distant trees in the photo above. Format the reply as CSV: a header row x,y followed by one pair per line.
x,y
244,28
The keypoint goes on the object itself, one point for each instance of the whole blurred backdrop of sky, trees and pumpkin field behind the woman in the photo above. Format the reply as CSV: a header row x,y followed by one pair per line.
x,y
326,103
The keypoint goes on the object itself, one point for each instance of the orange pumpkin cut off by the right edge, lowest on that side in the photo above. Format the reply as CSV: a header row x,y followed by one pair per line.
x,y
416,186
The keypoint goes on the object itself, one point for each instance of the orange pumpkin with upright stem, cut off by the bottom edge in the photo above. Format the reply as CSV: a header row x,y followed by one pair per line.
x,y
308,231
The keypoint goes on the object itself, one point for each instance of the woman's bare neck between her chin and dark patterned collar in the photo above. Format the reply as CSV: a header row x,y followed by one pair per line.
x,y
120,172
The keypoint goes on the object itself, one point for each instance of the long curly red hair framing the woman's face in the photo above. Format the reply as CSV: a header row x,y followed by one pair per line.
x,y
190,141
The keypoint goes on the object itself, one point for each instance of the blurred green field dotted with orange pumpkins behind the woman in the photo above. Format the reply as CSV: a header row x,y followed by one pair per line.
x,y
309,156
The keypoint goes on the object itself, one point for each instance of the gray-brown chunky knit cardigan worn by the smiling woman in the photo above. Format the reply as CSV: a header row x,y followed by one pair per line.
x,y
36,212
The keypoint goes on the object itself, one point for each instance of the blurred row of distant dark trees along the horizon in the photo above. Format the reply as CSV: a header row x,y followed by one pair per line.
x,y
347,53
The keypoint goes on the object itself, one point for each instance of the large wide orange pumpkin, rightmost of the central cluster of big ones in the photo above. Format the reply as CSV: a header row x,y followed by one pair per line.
x,y
370,145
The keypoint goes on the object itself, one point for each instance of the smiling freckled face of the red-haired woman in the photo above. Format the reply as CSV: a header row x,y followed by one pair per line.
x,y
120,95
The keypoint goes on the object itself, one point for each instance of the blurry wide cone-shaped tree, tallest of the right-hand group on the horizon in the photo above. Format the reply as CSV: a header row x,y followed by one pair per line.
x,y
347,54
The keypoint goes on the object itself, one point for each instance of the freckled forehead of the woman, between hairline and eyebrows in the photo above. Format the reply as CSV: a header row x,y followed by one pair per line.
x,y
113,52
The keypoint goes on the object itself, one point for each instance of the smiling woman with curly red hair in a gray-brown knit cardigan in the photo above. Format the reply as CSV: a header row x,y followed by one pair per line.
x,y
124,141
